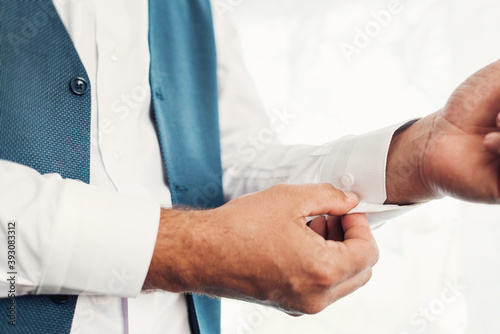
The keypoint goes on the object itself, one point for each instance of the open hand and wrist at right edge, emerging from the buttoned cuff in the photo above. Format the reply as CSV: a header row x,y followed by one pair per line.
x,y
455,151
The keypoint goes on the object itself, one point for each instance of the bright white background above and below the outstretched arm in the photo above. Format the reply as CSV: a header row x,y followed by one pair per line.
x,y
442,259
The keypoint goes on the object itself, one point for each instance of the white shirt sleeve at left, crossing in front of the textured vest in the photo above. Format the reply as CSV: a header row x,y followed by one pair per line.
x,y
66,235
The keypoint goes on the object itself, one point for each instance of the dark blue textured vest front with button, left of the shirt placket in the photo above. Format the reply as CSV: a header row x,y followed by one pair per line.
x,y
43,125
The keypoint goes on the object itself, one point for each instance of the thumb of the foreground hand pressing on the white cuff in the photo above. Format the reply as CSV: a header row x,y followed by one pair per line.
x,y
319,199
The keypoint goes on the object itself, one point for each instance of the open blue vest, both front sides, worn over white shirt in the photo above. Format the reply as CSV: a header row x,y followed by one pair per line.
x,y
45,124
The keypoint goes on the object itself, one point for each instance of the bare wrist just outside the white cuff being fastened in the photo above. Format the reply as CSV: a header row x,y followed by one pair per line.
x,y
407,174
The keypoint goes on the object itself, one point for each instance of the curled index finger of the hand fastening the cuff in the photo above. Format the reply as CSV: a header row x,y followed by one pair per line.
x,y
358,252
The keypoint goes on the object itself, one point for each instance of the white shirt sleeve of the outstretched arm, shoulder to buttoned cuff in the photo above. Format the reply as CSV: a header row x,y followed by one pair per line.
x,y
254,159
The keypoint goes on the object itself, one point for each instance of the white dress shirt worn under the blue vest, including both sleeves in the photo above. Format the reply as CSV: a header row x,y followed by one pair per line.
x,y
97,240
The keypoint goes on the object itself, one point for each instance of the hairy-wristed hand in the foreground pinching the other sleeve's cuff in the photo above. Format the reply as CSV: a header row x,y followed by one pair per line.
x,y
258,248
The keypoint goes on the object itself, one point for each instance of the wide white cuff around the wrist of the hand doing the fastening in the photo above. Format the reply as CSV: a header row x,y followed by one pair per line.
x,y
102,243
